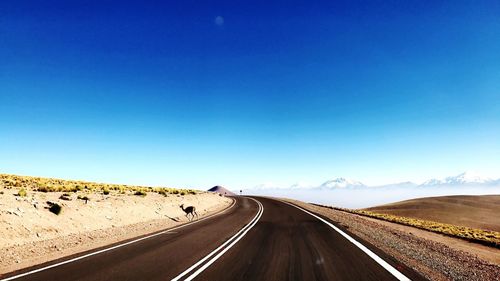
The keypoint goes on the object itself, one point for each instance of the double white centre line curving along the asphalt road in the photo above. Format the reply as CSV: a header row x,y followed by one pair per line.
x,y
235,237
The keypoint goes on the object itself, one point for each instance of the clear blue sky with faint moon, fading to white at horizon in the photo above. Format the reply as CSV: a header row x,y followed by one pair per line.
x,y
198,93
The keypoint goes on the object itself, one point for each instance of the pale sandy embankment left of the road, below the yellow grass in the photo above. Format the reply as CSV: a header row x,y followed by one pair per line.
x,y
31,234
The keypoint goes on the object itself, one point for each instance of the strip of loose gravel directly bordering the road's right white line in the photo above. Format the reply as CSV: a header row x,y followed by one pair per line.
x,y
432,259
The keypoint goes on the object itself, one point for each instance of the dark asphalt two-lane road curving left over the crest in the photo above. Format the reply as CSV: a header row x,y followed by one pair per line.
x,y
260,239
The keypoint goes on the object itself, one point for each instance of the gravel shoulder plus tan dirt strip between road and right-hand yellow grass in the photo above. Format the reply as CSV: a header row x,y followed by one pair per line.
x,y
435,256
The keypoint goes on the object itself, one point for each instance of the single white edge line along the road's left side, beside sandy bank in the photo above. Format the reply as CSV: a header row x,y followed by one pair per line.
x,y
115,247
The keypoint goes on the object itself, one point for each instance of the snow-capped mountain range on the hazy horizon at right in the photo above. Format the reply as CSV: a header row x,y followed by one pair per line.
x,y
461,180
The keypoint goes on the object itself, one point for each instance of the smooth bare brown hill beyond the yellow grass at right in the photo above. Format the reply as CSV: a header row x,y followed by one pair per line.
x,y
467,210
